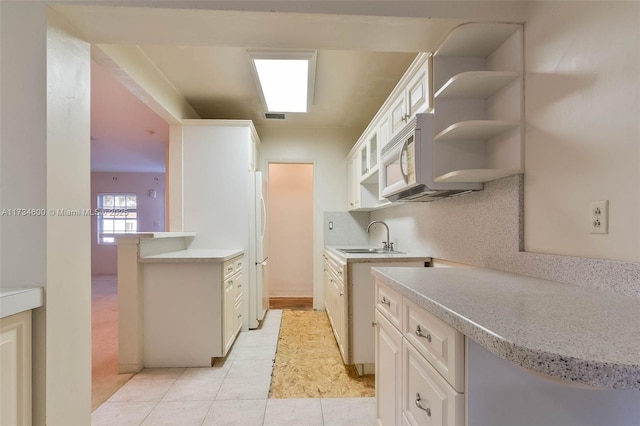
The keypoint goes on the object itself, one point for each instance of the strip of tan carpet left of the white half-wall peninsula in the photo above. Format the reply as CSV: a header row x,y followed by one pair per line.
x,y
105,379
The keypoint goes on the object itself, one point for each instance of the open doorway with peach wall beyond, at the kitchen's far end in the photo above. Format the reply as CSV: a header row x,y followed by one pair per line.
x,y
291,192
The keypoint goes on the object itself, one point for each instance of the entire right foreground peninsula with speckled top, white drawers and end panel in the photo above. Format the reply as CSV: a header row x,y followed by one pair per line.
x,y
524,350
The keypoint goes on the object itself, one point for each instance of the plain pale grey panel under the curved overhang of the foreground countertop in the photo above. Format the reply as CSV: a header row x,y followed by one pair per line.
x,y
501,393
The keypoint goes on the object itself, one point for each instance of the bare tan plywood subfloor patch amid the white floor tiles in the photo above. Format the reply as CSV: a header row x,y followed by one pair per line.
x,y
308,363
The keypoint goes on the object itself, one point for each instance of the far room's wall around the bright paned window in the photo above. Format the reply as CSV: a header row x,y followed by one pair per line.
x,y
151,211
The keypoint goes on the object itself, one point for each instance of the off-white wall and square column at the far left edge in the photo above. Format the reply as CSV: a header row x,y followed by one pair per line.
x,y
45,165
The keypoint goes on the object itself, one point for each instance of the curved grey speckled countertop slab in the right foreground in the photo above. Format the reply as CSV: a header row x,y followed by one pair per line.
x,y
583,335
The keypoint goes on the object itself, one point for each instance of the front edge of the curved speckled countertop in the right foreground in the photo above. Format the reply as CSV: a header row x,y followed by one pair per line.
x,y
591,373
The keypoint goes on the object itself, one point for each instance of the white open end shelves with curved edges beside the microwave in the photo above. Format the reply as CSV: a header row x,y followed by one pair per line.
x,y
478,103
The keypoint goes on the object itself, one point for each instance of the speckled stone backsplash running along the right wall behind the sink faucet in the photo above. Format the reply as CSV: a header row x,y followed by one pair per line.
x,y
481,229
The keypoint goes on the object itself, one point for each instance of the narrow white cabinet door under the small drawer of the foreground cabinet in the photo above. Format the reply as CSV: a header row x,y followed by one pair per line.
x,y
388,372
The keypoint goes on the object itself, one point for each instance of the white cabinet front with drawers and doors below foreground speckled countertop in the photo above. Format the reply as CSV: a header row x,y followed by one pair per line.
x,y
419,368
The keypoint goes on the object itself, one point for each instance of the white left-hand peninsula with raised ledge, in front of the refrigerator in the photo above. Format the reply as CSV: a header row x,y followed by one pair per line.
x,y
162,286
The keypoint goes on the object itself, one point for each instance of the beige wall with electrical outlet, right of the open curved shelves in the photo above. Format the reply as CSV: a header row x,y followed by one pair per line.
x,y
582,91
